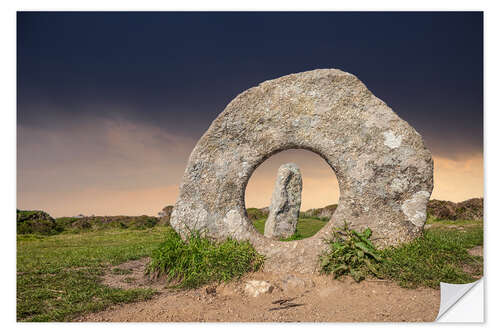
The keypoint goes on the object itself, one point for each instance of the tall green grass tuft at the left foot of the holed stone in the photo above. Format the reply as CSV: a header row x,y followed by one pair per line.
x,y
200,260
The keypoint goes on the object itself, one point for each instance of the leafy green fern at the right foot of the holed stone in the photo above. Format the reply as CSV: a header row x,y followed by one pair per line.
x,y
350,252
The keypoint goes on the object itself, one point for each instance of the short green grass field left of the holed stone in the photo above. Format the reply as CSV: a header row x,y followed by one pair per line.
x,y
58,277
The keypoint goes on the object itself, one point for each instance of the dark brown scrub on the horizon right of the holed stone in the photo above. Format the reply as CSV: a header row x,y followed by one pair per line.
x,y
471,209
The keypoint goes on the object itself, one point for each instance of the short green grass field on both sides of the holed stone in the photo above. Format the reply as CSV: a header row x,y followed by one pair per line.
x,y
58,277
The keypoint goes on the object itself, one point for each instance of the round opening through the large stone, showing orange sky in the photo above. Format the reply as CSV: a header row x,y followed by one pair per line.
x,y
320,190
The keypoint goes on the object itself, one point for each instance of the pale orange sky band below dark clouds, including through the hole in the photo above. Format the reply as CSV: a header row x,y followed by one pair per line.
x,y
117,166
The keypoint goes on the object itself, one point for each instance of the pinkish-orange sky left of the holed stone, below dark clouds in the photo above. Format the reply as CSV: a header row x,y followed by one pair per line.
x,y
63,170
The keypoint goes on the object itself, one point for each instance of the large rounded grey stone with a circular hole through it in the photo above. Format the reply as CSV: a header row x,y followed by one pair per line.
x,y
384,170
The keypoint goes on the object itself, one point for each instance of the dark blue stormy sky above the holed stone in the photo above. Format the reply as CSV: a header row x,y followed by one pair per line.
x,y
178,71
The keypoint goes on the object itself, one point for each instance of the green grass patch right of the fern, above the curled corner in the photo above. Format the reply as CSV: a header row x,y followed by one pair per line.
x,y
440,255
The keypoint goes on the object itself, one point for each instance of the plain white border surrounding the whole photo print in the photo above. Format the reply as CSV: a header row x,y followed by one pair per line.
x,y
8,135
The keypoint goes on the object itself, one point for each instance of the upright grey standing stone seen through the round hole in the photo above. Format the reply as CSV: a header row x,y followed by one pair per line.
x,y
285,203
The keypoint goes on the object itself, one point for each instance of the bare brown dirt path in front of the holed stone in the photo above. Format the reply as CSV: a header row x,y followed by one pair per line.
x,y
313,298
